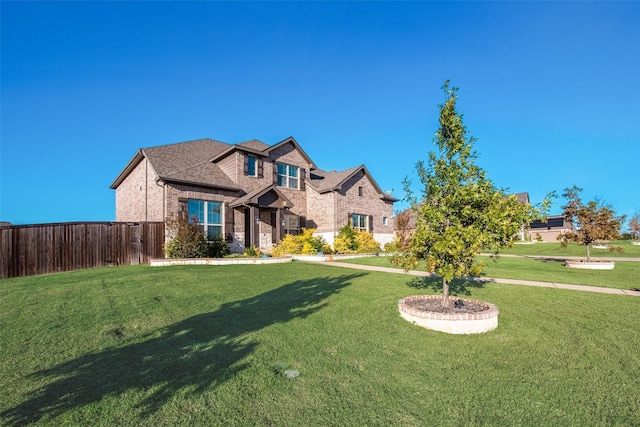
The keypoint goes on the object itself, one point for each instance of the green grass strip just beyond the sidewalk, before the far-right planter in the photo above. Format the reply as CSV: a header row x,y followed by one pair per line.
x,y
625,275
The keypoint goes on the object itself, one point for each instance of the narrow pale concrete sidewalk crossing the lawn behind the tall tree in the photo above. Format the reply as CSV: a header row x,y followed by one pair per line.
x,y
490,280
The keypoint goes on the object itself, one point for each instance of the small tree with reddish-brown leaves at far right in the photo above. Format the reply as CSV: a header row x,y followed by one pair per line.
x,y
594,221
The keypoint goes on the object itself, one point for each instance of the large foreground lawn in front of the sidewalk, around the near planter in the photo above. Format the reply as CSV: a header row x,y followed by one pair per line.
x,y
200,345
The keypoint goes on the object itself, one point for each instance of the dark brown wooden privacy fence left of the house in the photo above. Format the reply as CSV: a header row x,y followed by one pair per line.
x,y
49,248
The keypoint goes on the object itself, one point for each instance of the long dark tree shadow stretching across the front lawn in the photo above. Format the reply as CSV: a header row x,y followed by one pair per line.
x,y
191,355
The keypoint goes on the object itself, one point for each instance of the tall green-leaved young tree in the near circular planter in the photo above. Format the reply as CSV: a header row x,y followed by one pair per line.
x,y
461,212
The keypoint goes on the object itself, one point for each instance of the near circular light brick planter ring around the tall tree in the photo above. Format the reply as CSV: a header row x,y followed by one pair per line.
x,y
451,323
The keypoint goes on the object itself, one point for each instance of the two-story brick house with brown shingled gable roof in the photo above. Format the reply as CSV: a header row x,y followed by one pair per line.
x,y
251,193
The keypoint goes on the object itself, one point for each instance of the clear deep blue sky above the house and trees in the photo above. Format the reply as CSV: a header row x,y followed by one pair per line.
x,y
551,90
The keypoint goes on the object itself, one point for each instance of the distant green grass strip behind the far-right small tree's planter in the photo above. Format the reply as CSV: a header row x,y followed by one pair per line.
x,y
573,249
